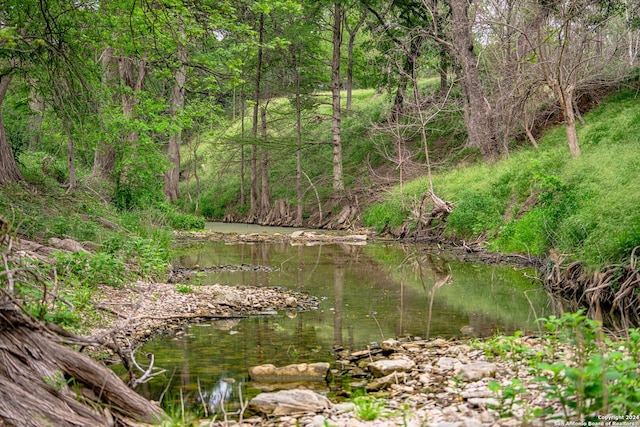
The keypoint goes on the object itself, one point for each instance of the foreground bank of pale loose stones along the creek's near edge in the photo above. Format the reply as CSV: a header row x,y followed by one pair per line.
x,y
437,382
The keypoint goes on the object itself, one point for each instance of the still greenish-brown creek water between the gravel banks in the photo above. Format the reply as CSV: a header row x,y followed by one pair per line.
x,y
367,293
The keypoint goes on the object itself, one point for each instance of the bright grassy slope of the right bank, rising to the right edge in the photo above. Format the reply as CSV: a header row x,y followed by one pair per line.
x,y
538,199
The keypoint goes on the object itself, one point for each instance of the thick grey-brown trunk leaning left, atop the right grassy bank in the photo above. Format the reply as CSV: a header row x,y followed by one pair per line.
x,y
478,118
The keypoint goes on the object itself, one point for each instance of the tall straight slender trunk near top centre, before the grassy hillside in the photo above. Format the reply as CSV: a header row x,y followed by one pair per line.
x,y
338,181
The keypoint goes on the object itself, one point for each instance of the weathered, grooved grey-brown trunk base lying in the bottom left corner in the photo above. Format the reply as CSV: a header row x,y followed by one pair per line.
x,y
44,383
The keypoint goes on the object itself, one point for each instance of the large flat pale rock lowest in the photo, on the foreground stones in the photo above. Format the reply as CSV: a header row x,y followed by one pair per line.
x,y
286,402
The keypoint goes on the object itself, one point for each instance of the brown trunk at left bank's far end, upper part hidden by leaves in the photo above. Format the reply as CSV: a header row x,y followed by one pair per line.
x,y
172,176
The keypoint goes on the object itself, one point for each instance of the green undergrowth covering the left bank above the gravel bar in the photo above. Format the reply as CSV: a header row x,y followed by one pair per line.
x,y
121,246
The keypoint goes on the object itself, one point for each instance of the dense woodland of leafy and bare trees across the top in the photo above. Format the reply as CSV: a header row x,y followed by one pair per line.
x,y
122,87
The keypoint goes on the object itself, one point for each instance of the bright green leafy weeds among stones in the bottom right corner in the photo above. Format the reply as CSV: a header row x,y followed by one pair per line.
x,y
586,371
